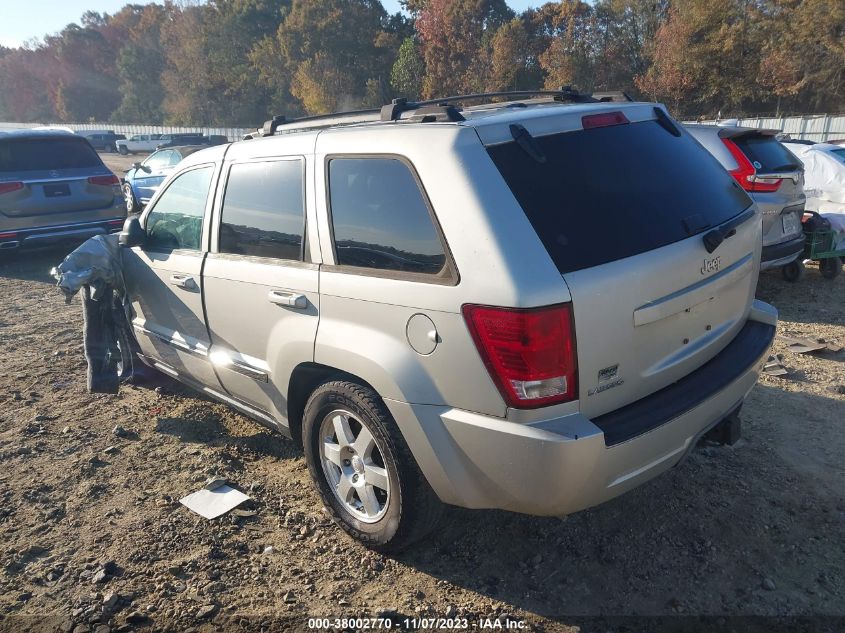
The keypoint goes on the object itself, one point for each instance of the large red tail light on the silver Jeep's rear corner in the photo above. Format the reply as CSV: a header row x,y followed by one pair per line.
x,y
530,354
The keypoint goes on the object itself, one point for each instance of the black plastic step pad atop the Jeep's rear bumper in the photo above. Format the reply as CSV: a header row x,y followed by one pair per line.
x,y
670,402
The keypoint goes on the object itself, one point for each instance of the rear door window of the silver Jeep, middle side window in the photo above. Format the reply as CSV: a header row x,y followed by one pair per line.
x,y
263,212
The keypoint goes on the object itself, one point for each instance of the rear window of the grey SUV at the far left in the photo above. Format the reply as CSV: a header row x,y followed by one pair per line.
x,y
32,154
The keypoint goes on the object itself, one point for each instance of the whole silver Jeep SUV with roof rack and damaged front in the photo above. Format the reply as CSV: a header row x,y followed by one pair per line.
x,y
533,306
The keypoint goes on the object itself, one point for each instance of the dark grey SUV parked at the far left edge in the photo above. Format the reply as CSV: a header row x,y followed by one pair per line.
x,y
54,187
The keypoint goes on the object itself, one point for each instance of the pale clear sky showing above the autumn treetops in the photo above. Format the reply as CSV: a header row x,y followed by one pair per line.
x,y
21,20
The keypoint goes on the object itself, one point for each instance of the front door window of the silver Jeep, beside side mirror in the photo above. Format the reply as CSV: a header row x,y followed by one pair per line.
x,y
176,219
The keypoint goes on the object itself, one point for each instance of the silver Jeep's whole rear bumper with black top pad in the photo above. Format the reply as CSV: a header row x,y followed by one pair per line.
x,y
561,465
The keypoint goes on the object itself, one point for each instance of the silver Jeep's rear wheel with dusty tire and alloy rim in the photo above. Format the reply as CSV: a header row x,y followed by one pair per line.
x,y
362,467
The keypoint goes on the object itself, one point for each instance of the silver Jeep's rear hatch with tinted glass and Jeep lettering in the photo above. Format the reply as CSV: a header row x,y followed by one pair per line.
x,y
622,205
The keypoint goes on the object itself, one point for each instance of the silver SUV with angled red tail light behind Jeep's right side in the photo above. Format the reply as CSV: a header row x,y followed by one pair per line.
x,y
774,178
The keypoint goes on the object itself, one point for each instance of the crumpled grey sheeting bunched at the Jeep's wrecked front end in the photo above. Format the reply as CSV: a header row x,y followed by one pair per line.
x,y
95,263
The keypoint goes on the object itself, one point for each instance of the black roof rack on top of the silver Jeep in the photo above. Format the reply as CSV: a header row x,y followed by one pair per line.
x,y
441,109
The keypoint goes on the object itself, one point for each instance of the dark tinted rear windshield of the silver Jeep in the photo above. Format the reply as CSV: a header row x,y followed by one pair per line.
x,y
608,193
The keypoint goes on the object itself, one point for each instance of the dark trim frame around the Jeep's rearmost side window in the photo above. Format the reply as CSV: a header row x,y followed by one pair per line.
x,y
453,277
